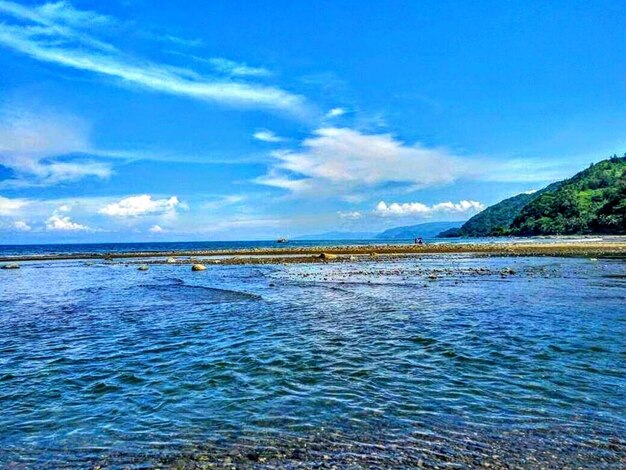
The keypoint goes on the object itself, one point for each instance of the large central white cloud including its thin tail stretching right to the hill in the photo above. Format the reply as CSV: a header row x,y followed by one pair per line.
x,y
350,164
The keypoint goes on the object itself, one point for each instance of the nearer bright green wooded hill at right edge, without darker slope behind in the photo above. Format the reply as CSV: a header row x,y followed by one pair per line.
x,y
593,201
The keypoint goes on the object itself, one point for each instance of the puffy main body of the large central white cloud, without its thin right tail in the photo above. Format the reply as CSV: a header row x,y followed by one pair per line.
x,y
338,161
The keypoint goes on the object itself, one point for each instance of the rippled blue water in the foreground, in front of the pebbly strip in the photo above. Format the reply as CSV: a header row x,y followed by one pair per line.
x,y
448,361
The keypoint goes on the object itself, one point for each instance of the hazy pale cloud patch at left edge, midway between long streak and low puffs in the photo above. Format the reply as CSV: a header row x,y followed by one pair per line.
x,y
31,144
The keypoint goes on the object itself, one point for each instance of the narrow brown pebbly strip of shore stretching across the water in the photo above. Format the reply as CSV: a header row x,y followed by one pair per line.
x,y
311,254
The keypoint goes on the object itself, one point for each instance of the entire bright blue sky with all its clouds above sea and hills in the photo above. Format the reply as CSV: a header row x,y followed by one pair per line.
x,y
191,120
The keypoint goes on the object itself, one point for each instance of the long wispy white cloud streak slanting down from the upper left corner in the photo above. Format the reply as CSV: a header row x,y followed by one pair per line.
x,y
53,37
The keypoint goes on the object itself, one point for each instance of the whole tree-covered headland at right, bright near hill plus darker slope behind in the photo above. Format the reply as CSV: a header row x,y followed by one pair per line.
x,y
593,201
